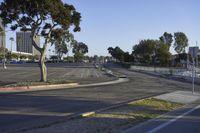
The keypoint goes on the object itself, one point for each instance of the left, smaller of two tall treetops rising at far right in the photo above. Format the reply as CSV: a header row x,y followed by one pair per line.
x,y
167,38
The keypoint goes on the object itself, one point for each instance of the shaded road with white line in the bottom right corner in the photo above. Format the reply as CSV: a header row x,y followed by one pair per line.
x,y
184,120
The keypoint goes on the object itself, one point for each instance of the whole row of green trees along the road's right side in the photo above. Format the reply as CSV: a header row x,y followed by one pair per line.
x,y
154,51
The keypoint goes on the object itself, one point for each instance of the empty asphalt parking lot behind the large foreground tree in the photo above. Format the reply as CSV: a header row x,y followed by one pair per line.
x,y
81,73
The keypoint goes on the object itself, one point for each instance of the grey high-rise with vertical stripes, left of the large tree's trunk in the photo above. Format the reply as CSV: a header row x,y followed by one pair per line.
x,y
24,42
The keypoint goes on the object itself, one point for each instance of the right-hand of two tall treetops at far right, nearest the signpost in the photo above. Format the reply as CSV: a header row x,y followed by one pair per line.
x,y
181,42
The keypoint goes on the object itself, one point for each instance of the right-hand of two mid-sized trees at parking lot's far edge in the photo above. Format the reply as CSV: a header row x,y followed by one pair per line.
x,y
79,49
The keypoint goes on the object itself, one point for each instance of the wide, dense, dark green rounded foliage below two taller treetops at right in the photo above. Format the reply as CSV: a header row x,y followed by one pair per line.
x,y
151,52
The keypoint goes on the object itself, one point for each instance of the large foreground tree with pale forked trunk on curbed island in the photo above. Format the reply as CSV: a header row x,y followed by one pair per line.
x,y
49,19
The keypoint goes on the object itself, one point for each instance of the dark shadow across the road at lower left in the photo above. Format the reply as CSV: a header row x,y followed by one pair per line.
x,y
21,111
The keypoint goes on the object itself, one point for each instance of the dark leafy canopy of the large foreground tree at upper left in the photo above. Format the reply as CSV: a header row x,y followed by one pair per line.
x,y
31,14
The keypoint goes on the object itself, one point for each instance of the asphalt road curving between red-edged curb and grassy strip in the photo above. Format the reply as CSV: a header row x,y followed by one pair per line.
x,y
37,109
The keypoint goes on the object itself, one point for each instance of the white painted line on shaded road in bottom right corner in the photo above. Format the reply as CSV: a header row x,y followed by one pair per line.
x,y
173,120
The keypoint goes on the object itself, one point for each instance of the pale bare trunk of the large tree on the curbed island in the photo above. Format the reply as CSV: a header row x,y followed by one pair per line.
x,y
43,69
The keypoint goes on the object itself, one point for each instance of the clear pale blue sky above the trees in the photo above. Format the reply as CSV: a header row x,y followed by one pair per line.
x,y
124,23
